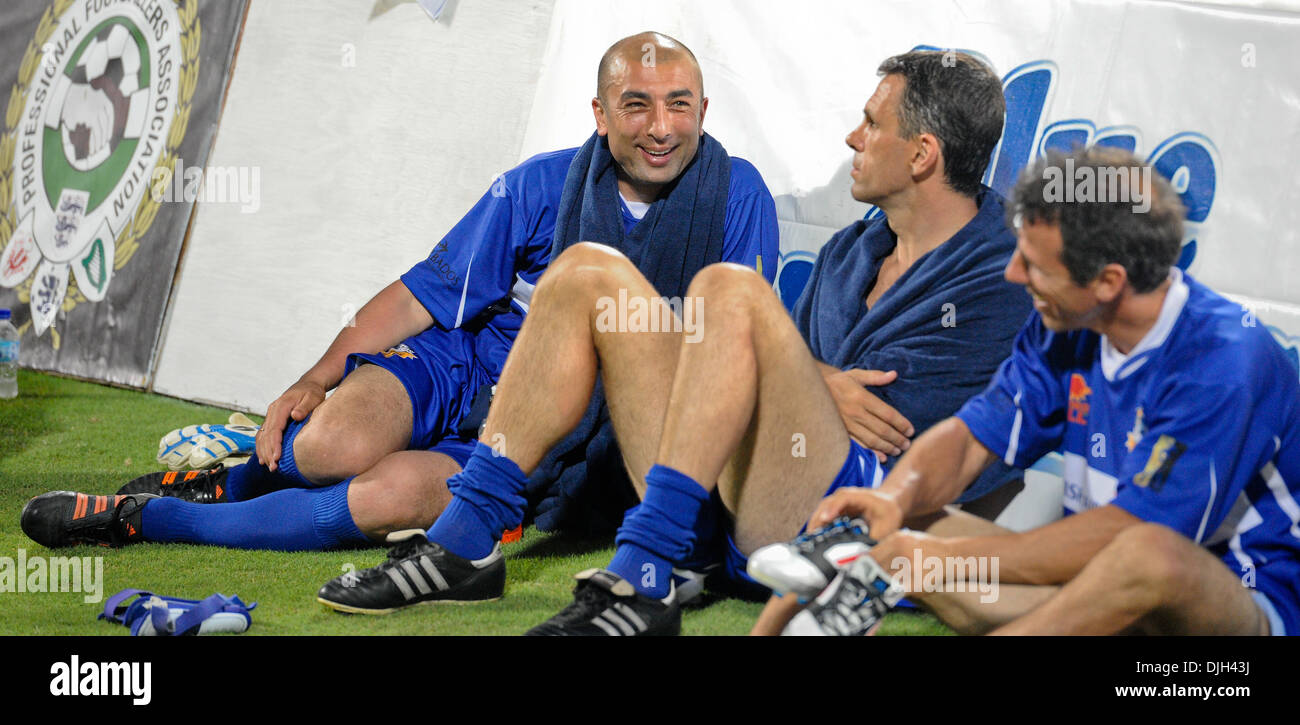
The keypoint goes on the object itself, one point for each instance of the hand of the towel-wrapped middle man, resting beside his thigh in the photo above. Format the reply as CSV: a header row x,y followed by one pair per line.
x,y
869,420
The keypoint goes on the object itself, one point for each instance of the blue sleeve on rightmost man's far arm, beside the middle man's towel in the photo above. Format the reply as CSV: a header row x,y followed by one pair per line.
x,y
1021,416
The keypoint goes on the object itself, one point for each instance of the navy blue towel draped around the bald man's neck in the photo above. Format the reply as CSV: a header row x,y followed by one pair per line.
x,y
681,235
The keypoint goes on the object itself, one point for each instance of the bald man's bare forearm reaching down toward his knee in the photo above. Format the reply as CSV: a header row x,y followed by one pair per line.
x,y
388,319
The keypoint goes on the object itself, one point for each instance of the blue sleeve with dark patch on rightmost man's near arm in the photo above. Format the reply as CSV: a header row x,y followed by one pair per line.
x,y
1195,457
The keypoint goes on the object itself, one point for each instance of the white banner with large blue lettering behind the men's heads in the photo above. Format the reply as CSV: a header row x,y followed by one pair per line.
x,y
1210,95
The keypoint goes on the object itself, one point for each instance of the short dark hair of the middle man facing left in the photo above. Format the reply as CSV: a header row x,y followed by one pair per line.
x,y
960,101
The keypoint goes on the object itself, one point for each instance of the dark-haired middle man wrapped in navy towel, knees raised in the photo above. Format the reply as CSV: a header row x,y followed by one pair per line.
x,y
739,406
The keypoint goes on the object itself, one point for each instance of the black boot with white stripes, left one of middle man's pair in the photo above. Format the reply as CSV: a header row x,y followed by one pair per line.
x,y
417,572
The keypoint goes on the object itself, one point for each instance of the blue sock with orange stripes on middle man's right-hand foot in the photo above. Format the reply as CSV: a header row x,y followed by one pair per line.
x,y
660,532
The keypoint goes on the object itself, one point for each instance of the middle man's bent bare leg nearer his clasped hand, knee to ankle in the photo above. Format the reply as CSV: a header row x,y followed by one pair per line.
x,y
749,411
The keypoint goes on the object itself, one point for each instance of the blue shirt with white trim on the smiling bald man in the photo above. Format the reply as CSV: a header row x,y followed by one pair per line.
x,y
504,245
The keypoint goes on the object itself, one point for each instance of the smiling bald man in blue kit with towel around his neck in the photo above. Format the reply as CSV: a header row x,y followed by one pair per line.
x,y
376,457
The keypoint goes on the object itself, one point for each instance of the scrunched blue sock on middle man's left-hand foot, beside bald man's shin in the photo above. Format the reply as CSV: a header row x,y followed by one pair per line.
x,y
488,500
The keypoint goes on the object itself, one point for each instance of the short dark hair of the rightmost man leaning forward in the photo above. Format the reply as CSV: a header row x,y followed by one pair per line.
x,y
1107,228
